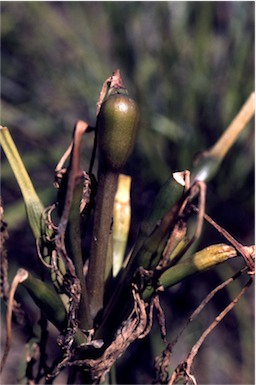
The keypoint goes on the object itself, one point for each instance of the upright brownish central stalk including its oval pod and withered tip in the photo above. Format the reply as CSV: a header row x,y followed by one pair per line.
x,y
116,128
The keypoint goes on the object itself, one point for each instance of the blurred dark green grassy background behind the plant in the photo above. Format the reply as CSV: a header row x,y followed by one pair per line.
x,y
190,67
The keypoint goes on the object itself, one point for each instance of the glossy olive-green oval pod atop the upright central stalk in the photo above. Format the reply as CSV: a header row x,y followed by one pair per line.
x,y
117,123
